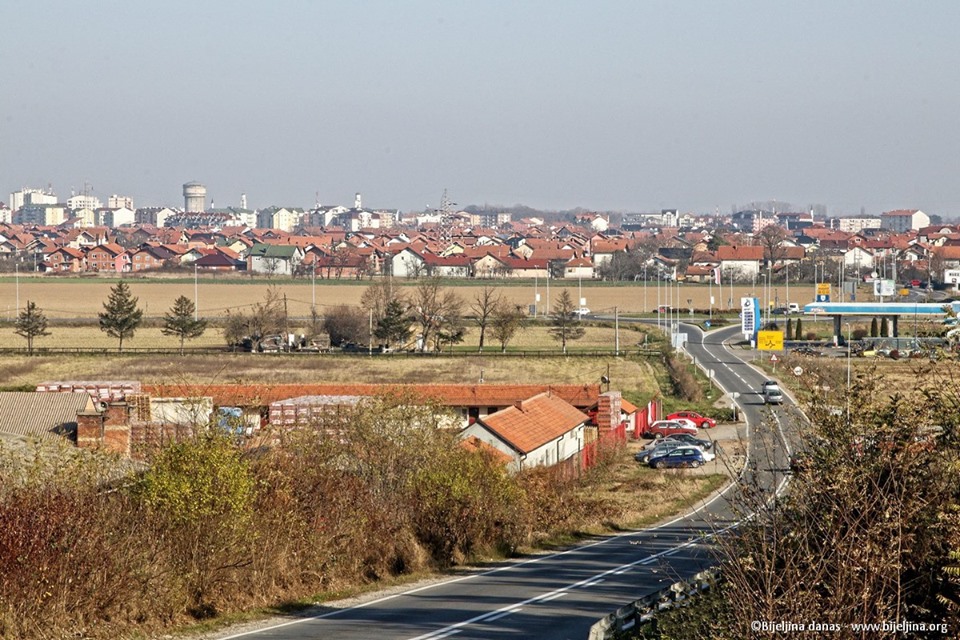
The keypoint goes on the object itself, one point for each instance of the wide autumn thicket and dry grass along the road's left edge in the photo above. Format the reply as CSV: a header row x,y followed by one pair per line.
x,y
92,547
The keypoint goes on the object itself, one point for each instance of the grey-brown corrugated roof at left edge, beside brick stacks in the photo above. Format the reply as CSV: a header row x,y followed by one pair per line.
x,y
45,415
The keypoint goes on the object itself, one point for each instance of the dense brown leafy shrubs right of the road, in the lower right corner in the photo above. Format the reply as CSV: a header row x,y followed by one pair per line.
x,y
869,530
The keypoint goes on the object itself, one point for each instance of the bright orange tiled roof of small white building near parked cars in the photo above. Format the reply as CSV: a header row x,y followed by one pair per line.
x,y
532,423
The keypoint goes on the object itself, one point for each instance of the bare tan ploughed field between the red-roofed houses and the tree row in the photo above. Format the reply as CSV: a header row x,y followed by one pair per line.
x,y
82,298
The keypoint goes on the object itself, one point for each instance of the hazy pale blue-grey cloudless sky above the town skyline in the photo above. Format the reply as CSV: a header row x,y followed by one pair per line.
x,y
629,106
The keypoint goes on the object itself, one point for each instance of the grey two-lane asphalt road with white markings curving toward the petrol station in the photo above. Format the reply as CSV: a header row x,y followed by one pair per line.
x,y
562,595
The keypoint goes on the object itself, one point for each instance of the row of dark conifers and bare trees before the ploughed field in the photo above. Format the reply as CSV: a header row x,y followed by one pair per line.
x,y
428,317
